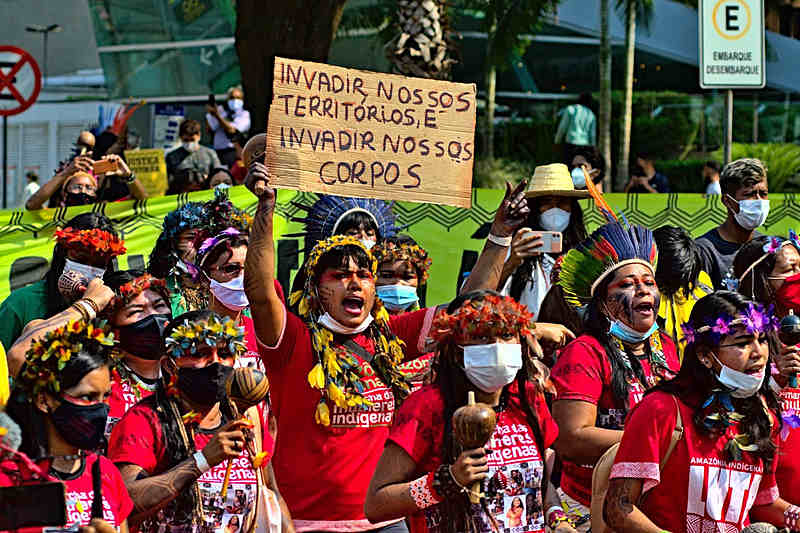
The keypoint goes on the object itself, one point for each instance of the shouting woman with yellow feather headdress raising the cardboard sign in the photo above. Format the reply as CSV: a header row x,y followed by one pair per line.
x,y
333,366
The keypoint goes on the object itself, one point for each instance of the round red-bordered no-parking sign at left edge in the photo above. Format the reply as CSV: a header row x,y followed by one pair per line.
x,y
20,80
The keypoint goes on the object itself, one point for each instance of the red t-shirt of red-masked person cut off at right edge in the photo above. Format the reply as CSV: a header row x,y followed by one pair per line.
x,y
788,469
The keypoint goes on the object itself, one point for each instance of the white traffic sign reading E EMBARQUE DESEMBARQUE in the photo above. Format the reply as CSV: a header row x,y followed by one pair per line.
x,y
731,44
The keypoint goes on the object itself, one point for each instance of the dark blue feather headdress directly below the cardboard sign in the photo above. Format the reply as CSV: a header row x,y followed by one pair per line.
x,y
325,215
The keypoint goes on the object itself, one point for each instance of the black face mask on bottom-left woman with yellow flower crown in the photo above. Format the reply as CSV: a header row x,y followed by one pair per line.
x,y
82,426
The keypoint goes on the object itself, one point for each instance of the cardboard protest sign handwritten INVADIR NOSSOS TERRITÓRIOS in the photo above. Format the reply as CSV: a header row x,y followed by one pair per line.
x,y
355,133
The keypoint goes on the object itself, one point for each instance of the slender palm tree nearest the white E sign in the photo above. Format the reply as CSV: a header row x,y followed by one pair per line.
x,y
643,9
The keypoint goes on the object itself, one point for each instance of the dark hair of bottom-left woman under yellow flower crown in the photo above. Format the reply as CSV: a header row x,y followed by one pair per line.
x,y
33,422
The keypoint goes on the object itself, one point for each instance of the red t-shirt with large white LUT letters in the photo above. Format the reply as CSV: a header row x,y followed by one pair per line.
x,y
703,491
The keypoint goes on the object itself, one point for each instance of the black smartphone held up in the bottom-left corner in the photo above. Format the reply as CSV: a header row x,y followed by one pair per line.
x,y
40,505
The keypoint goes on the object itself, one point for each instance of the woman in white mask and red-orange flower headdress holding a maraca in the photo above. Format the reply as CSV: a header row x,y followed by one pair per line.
x,y
484,343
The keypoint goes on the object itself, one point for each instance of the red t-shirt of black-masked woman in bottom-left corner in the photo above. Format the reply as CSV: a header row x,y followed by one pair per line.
x,y
117,505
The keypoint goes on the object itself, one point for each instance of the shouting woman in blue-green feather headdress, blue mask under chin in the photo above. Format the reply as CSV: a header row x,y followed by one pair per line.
x,y
603,373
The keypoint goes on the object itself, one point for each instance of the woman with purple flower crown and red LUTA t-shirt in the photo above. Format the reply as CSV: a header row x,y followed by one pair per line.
x,y
721,473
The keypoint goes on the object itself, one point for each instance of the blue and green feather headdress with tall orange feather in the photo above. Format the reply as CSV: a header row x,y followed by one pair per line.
x,y
608,248
